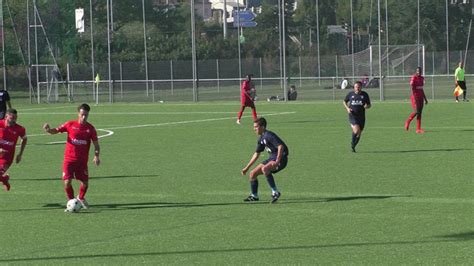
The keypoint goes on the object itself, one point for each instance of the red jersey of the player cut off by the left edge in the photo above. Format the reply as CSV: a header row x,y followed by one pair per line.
x,y
8,139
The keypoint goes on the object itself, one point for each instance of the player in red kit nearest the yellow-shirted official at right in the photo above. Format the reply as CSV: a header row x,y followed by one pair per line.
x,y
417,98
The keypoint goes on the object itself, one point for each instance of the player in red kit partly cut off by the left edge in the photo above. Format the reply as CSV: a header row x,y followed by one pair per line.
x,y
10,131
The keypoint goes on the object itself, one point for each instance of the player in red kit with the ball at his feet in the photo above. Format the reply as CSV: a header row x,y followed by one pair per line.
x,y
80,134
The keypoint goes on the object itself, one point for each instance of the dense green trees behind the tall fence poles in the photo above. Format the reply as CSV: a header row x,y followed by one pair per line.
x,y
168,29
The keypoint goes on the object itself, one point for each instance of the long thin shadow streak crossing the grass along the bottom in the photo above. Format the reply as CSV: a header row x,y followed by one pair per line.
x,y
452,238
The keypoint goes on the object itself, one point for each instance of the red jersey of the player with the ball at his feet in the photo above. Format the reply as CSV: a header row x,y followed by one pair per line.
x,y
78,141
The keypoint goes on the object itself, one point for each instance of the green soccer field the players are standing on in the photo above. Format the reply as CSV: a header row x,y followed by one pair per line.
x,y
169,190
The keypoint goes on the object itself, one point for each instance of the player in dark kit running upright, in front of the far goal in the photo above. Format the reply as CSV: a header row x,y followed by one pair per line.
x,y
355,103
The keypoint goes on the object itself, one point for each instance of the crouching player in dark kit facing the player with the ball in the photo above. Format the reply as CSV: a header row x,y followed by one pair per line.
x,y
276,162
